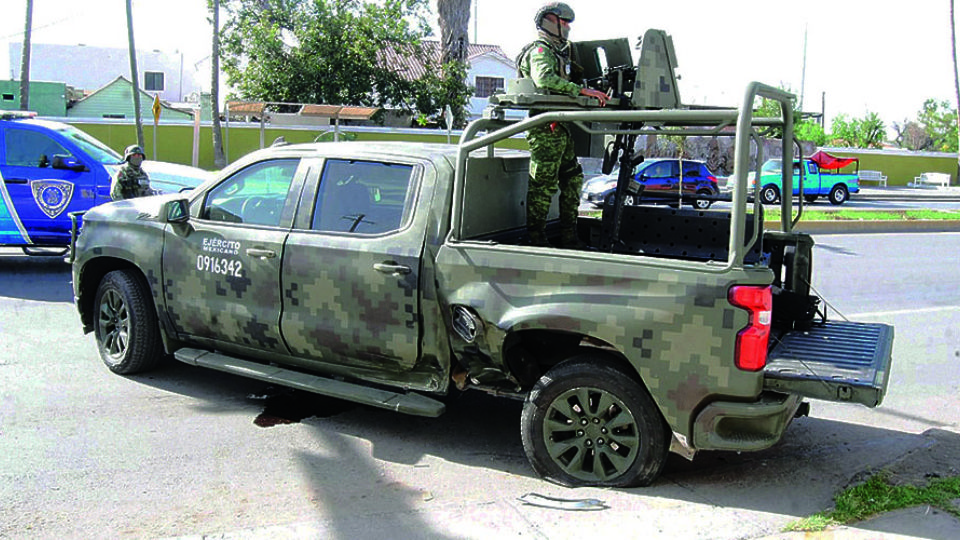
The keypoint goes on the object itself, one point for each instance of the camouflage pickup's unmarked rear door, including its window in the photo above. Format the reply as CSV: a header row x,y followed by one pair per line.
x,y
351,267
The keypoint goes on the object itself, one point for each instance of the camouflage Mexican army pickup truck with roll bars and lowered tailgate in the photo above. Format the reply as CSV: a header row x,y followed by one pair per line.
x,y
390,274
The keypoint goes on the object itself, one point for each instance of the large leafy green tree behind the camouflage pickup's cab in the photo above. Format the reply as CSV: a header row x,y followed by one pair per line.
x,y
342,52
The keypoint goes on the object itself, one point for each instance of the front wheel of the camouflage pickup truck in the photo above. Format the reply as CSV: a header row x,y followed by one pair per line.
x,y
125,324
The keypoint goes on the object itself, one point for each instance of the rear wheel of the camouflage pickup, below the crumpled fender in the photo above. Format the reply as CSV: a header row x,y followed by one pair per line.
x,y
588,422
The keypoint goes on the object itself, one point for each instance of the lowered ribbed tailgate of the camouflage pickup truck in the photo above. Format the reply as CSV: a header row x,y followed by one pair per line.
x,y
835,361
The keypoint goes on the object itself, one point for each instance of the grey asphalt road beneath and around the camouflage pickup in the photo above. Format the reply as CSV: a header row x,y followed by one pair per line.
x,y
186,452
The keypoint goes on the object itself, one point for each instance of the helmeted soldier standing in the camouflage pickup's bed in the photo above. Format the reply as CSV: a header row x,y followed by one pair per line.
x,y
553,163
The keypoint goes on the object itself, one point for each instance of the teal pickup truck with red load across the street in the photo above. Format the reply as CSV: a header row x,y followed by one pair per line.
x,y
836,187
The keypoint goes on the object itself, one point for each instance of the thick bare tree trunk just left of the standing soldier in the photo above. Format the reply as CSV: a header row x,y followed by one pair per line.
x,y
454,38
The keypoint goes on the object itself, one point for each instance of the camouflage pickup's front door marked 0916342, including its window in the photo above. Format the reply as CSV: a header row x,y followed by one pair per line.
x,y
221,269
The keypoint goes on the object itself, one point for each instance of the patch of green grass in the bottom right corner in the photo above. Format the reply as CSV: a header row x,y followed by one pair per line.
x,y
876,496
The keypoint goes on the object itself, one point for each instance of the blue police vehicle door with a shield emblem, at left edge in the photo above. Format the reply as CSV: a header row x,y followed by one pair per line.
x,y
43,181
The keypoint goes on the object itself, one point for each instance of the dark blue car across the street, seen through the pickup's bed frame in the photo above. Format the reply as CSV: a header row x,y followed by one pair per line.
x,y
660,179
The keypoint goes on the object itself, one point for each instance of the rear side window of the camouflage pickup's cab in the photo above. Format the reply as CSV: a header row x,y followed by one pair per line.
x,y
363,197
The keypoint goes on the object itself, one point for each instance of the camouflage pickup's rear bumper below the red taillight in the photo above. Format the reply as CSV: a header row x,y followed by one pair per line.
x,y
745,427
